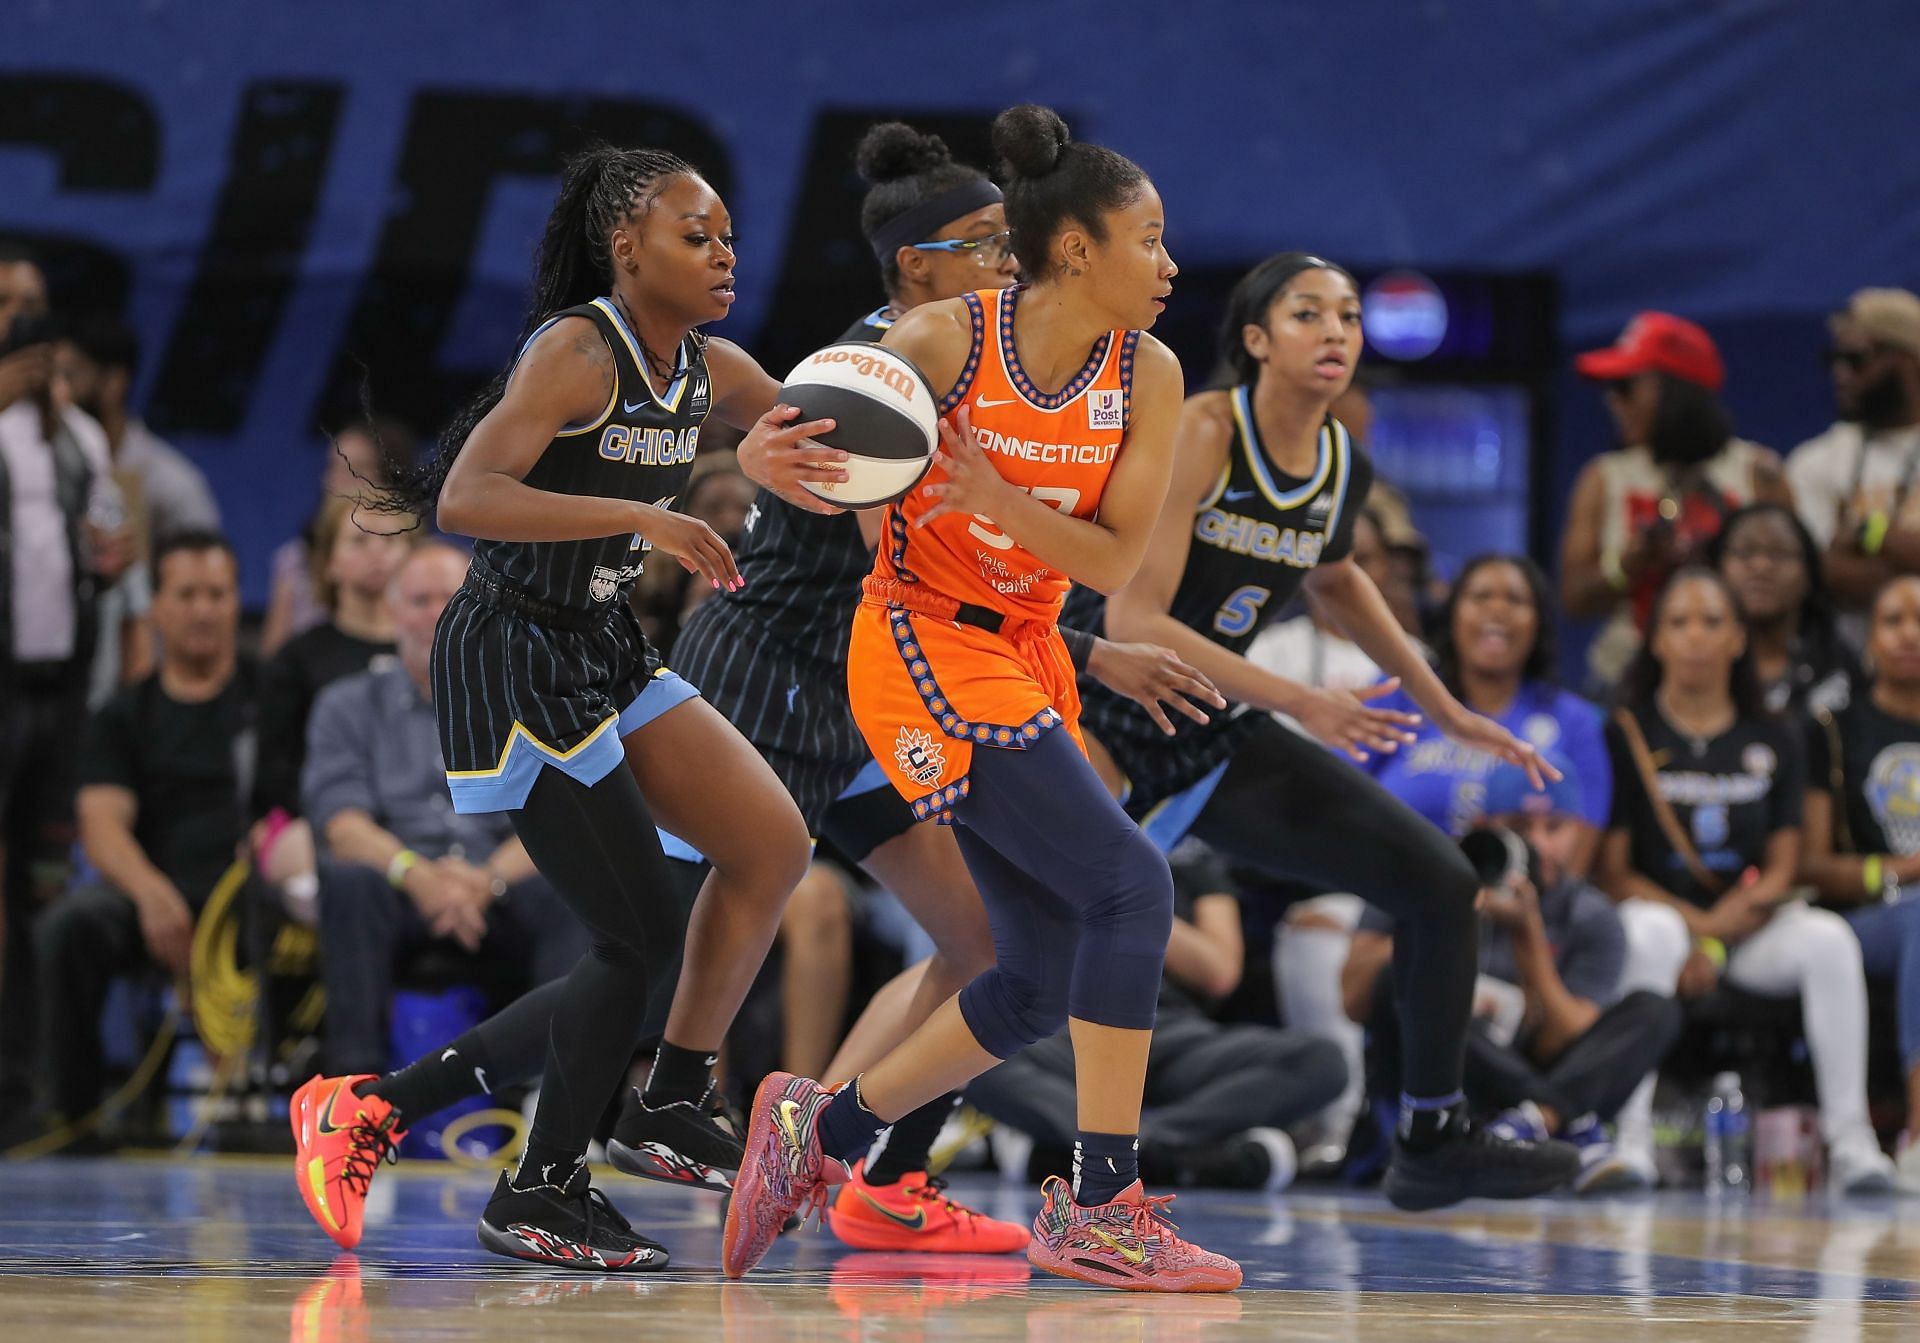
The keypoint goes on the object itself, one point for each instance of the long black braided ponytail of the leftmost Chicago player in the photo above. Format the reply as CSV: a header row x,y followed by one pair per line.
x,y
600,189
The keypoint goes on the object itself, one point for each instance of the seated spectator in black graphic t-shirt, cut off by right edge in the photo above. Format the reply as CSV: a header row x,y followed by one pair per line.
x,y
1863,825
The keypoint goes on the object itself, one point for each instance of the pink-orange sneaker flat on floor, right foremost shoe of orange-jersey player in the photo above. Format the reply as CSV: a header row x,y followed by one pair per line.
x,y
1126,1244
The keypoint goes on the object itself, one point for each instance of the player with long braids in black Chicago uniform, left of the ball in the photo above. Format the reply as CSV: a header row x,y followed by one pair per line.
x,y
554,708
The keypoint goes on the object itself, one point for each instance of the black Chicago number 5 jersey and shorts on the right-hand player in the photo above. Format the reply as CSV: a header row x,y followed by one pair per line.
x,y
1257,537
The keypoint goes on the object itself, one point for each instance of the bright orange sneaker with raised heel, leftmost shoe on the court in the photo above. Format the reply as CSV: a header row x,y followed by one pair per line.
x,y
339,1142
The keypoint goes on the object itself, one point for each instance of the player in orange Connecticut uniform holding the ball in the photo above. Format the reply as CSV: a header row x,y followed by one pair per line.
x,y
1057,452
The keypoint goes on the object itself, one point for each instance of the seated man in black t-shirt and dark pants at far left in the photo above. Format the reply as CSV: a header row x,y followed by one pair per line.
x,y
162,812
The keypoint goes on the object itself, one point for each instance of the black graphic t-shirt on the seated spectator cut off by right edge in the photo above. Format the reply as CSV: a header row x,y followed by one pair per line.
x,y
1879,775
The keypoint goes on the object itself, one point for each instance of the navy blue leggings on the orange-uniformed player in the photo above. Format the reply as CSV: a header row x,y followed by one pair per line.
x,y
1080,902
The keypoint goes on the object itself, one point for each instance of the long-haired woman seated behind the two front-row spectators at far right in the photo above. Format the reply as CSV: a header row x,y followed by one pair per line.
x,y
1773,568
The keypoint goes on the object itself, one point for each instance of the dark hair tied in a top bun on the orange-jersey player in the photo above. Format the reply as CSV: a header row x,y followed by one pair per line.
x,y
1053,182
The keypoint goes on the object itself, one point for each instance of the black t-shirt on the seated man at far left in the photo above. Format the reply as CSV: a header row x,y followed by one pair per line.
x,y
183,766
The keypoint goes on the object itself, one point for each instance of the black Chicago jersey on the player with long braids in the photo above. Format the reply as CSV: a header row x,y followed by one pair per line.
x,y
638,449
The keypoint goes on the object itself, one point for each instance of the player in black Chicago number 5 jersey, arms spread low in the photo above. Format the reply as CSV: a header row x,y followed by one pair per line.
x,y
1266,487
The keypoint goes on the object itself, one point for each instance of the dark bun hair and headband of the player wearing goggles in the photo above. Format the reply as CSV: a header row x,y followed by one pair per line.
x,y
915,189
